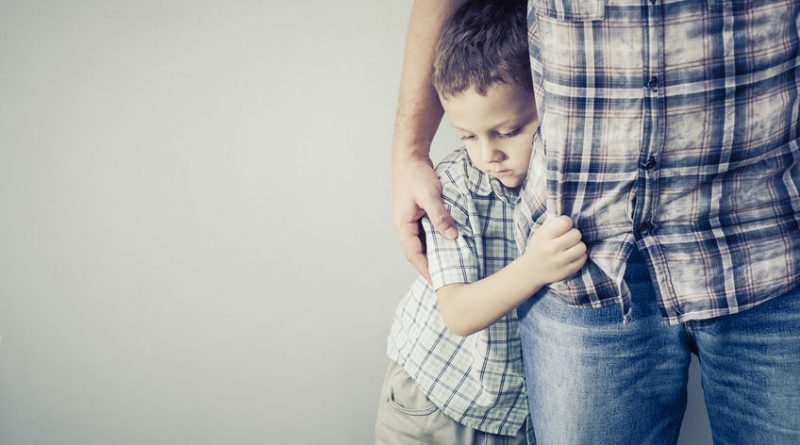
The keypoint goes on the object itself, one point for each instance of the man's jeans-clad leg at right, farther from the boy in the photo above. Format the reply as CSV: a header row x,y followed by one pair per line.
x,y
750,365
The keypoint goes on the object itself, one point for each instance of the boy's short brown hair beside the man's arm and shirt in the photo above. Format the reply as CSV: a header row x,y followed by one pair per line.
x,y
485,42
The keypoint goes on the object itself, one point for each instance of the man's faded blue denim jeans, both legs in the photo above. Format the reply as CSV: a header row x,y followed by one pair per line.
x,y
593,380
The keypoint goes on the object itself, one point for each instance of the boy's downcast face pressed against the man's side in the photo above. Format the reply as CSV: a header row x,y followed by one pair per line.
x,y
497,129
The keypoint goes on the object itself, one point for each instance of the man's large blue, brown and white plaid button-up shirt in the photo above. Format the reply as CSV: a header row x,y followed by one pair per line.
x,y
671,125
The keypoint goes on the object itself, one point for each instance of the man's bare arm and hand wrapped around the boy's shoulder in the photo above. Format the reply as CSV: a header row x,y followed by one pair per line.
x,y
415,187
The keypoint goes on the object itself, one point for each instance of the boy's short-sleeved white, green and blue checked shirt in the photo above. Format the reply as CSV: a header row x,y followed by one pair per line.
x,y
477,380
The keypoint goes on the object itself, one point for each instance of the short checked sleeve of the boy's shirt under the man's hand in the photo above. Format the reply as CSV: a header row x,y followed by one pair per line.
x,y
452,261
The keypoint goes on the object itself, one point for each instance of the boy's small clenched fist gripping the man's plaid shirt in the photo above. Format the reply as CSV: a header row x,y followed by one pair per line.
x,y
555,251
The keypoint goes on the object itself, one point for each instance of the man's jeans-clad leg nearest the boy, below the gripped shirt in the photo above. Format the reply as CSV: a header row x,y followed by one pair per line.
x,y
593,380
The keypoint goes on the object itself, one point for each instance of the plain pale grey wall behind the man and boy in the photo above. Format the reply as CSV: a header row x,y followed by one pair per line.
x,y
195,229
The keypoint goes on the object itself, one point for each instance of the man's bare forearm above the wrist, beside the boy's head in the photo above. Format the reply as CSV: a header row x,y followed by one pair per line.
x,y
419,110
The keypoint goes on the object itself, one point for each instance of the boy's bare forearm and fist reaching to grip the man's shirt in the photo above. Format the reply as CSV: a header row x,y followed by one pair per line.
x,y
555,252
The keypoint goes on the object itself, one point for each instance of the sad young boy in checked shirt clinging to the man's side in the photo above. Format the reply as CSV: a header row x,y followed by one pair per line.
x,y
456,372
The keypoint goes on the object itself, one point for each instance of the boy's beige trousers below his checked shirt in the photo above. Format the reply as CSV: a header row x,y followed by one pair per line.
x,y
406,416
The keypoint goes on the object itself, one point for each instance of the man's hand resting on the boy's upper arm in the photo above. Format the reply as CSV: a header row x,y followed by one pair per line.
x,y
416,191
